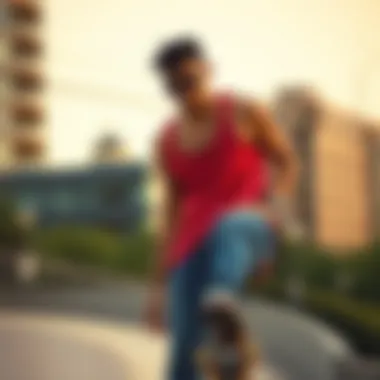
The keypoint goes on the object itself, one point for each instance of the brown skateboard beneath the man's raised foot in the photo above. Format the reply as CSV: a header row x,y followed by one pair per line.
x,y
226,352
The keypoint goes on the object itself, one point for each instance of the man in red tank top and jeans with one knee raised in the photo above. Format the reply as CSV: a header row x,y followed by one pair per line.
x,y
217,226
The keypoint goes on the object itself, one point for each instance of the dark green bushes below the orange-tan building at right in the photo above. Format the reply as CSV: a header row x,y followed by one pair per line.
x,y
355,310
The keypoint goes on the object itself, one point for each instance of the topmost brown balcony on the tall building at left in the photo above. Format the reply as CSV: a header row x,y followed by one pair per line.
x,y
23,12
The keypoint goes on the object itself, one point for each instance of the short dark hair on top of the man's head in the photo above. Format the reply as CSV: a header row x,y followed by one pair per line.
x,y
171,54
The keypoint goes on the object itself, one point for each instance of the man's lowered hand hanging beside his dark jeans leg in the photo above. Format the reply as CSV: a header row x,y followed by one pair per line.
x,y
155,311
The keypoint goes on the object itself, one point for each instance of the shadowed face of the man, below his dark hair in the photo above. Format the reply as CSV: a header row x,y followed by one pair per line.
x,y
189,81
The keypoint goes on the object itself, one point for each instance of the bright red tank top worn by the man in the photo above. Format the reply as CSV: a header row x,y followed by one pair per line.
x,y
229,173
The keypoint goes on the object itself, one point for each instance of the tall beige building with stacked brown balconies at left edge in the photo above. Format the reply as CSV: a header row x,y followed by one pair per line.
x,y
23,132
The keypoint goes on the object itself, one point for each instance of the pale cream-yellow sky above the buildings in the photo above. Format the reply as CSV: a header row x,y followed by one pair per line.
x,y
98,59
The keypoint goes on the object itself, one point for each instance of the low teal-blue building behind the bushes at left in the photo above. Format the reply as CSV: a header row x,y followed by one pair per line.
x,y
106,195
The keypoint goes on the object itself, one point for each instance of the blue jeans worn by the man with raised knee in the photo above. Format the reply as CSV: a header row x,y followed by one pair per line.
x,y
222,262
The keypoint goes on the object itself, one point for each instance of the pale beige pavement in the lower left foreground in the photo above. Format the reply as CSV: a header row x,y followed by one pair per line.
x,y
45,347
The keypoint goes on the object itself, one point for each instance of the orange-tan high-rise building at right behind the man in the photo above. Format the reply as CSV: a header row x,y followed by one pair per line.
x,y
338,199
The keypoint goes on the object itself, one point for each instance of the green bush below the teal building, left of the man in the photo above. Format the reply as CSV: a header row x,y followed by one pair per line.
x,y
97,247
